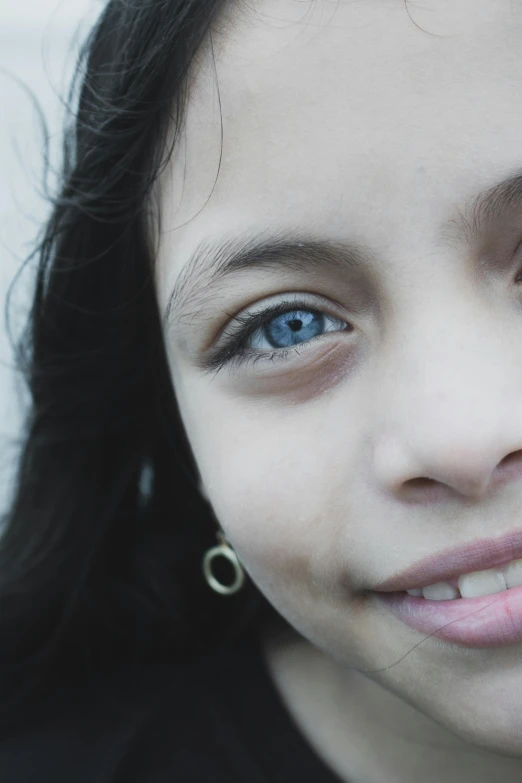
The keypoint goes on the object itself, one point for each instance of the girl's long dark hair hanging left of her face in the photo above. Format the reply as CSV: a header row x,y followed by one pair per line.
x,y
98,570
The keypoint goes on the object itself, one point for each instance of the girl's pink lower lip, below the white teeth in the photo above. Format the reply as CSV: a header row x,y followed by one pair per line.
x,y
489,621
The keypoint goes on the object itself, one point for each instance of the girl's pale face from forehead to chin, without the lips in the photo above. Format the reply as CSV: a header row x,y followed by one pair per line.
x,y
376,418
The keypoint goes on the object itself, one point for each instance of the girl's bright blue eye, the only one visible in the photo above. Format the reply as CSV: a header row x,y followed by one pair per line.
x,y
272,333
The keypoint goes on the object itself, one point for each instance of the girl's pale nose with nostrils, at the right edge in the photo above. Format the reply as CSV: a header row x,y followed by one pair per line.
x,y
452,424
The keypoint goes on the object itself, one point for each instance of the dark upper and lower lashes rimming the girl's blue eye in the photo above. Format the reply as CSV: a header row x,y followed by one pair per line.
x,y
233,353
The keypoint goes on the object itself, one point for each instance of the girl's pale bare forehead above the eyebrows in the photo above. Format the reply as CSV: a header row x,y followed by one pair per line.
x,y
362,119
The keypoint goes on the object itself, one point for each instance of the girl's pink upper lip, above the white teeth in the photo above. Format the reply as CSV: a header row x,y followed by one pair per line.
x,y
475,556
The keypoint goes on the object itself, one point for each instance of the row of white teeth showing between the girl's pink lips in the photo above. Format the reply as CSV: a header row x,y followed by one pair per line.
x,y
476,584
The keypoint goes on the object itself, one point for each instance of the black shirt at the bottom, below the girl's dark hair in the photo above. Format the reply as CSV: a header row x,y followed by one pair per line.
x,y
219,721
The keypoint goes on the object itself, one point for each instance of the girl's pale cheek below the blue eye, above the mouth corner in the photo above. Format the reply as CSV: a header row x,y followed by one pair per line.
x,y
275,483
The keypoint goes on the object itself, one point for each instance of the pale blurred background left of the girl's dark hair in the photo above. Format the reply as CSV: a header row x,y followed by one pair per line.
x,y
39,43
